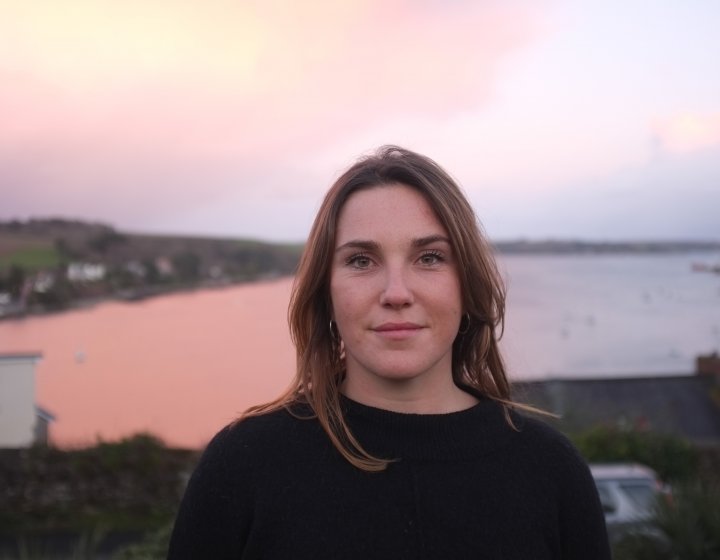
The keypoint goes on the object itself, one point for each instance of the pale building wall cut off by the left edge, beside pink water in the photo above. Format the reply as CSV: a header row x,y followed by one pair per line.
x,y
18,413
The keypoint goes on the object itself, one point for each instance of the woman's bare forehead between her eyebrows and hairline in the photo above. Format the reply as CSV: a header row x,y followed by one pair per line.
x,y
385,209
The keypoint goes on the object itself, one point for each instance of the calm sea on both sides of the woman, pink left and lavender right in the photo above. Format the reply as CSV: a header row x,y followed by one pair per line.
x,y
181,366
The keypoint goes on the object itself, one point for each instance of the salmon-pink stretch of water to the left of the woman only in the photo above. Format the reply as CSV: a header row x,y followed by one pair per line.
x,y
179,366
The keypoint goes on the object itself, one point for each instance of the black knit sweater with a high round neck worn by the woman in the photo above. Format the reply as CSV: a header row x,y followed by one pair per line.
x,y
465,485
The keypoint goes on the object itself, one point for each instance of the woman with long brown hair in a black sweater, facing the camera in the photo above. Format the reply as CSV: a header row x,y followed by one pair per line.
x,y
398,437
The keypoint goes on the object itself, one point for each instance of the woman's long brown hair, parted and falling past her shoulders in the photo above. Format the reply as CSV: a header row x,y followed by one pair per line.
x,y
477,365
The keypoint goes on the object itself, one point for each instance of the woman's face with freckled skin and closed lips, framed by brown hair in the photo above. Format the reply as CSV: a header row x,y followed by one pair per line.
x,y
395,293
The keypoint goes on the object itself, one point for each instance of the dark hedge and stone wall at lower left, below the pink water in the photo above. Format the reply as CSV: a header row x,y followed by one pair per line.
x,y
130,485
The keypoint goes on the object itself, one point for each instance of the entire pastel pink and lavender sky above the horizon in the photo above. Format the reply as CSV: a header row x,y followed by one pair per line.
x,y
583,119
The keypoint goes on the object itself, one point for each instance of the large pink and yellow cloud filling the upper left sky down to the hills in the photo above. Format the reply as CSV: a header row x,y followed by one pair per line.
x,y
125,110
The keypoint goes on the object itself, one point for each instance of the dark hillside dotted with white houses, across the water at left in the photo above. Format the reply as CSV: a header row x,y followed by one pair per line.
x,y
54,263
